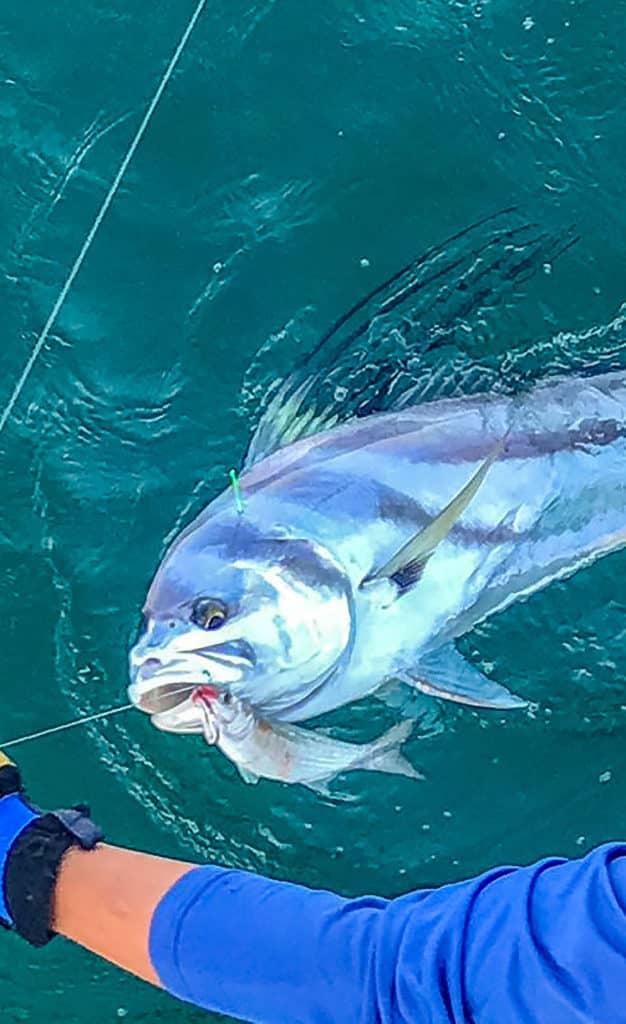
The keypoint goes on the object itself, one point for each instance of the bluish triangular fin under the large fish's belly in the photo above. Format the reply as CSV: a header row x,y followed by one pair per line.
x,y
446,674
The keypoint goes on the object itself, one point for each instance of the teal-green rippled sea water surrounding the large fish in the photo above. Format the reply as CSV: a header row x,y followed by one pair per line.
x,y
298,142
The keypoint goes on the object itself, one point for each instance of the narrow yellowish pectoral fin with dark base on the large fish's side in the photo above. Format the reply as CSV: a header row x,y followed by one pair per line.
x,y
407,566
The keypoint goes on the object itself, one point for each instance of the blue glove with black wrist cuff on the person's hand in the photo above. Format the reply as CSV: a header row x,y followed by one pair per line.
x,y
32,847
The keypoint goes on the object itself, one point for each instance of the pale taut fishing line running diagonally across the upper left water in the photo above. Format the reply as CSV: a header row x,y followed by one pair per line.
x,y
80,260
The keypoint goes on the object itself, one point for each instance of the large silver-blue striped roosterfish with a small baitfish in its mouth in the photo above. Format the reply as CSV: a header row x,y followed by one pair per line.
x,y
358,552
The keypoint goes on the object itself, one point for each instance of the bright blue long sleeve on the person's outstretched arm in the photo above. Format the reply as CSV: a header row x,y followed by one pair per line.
x,y
545,945
